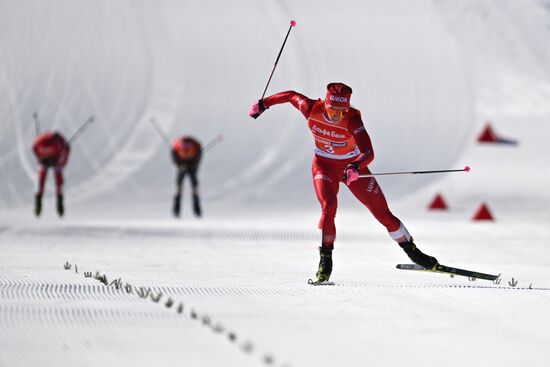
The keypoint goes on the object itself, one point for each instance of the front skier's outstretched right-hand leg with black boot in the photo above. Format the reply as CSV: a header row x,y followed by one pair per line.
x,y
371,195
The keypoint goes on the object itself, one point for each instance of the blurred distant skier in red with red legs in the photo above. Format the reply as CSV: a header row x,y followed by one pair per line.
x,y
51,151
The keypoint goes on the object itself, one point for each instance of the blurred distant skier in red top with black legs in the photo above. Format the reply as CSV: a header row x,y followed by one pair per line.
x,y
186,155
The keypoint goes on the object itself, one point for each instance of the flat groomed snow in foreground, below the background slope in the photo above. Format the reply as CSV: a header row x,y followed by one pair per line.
x,y
246,283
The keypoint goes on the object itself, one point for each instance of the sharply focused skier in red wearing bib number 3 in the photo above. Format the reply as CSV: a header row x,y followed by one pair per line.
x,y
343,150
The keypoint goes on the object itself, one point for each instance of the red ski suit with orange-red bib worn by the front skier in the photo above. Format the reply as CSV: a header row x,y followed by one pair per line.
x,y
338,144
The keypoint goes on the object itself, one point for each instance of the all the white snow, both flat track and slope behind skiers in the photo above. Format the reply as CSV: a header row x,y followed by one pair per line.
x,y
427,76
